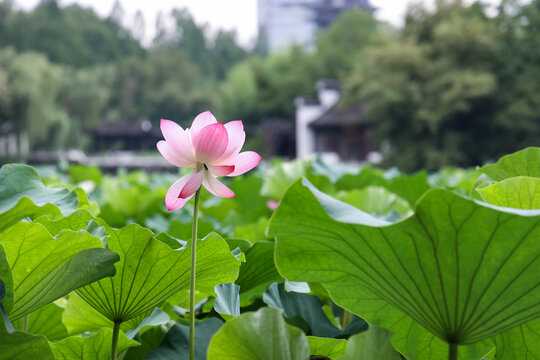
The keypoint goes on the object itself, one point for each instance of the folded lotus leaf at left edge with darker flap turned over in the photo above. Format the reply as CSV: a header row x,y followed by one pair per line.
x,y
45,268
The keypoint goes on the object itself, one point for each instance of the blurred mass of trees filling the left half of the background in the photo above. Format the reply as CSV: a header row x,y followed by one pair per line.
x,y
65,71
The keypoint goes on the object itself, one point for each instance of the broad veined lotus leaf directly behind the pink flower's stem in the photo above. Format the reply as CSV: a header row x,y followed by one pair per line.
x,y
150,271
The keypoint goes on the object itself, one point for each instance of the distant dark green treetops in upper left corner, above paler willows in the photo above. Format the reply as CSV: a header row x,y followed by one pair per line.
x,y
72,35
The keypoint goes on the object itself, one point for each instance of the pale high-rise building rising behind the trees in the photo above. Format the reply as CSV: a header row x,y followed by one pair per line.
x,y
283,23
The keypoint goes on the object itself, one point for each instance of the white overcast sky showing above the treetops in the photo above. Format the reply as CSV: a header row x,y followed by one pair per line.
x,y
232,14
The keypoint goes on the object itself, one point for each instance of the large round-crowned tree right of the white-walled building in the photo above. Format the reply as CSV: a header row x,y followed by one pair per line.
x,y
432,91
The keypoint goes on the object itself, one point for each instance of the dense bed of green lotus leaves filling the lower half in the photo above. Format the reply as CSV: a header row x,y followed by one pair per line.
x,y
415,255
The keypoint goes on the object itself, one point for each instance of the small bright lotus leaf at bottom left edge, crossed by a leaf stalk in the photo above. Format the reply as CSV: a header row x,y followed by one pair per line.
x,y
95,347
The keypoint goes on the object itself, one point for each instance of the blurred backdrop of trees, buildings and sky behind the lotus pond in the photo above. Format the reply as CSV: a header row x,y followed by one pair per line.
x,y
413,85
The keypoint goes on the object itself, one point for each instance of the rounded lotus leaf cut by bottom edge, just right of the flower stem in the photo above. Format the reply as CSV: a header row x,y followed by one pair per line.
x,y
261,335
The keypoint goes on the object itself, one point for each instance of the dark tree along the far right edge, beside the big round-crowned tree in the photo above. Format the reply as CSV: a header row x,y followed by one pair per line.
x,y
518,71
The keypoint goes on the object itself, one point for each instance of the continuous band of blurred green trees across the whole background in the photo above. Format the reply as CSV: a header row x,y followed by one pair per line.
x,y
453,86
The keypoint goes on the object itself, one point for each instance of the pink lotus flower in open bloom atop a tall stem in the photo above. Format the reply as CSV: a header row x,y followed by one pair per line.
x,y
211,149
